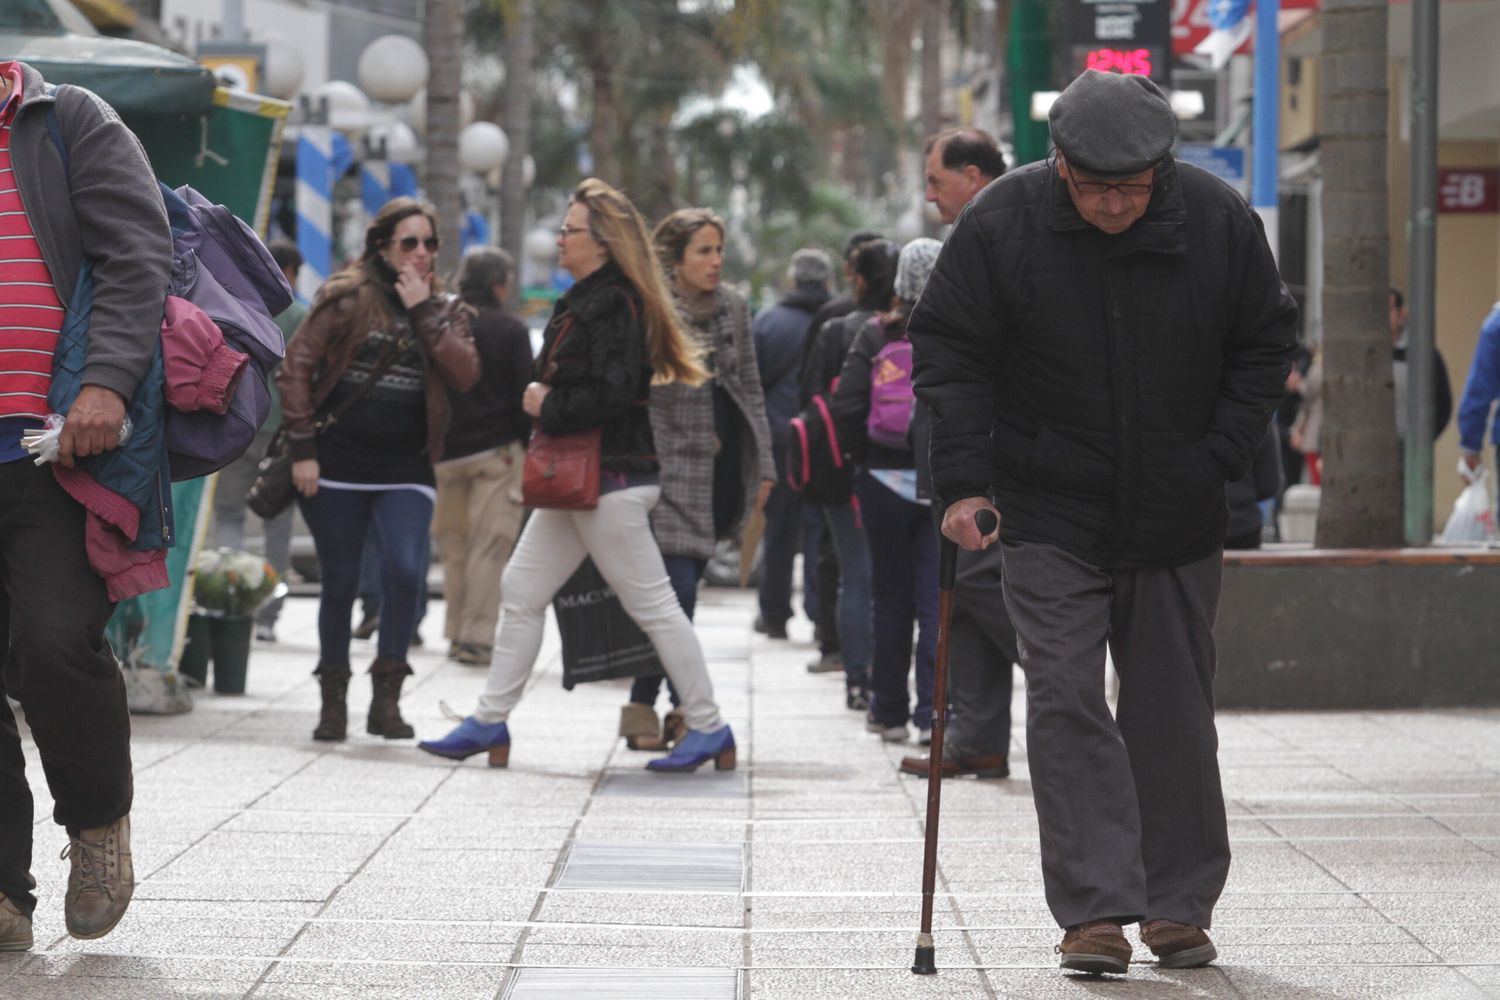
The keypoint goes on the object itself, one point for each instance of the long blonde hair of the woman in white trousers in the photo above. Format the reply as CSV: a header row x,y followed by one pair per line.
x,y
616,224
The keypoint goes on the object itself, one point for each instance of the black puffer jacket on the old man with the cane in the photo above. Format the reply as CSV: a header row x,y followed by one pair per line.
x,y
1103,388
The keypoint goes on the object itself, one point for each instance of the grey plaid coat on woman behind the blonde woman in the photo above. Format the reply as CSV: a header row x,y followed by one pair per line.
x,y
686,445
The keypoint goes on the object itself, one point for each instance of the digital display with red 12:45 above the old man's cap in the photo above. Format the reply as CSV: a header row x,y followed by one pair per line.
x,y
1117,37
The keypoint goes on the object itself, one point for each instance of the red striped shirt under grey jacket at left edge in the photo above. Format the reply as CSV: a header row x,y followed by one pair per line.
x,y
31,311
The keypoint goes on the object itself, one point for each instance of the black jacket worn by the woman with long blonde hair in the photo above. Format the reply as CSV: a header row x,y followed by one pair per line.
x,y
601,376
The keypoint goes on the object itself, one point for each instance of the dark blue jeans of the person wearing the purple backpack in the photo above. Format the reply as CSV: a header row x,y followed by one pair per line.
x,y
904,555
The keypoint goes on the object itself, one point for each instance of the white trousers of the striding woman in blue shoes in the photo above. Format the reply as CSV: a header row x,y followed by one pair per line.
x,y
619,539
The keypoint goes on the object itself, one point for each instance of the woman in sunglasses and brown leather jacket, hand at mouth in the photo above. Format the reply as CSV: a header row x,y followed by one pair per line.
x,y
377,353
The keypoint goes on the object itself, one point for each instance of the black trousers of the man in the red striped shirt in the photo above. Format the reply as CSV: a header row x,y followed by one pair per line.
x,y
53,611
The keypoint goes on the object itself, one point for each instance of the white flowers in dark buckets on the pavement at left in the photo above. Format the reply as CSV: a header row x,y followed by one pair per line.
x,y
229,588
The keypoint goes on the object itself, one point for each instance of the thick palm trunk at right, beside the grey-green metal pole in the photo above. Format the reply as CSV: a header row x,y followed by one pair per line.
x,y
1361,504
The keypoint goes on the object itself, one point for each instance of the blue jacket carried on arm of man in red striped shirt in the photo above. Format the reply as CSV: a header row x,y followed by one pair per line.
x,y
136,472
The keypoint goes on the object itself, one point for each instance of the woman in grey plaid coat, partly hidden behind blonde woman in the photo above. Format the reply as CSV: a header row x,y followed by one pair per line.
x,y
713,440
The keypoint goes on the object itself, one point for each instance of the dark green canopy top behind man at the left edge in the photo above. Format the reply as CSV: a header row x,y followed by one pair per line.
x,y
134,77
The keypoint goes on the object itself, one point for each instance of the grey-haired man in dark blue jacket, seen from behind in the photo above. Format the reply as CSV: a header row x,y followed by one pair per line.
x,y
779,335
